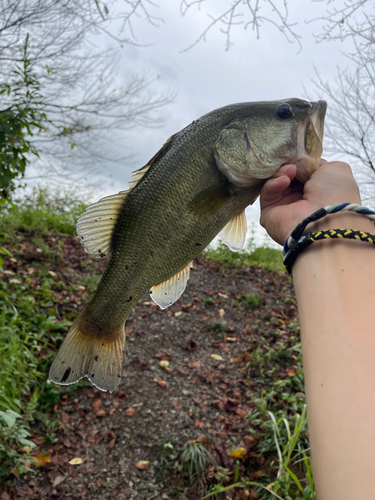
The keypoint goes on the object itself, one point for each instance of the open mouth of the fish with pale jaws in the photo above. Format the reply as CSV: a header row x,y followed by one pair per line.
x,y
309,143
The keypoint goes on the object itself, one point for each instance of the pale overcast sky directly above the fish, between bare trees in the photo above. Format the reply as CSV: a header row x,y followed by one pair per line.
x,y
207,77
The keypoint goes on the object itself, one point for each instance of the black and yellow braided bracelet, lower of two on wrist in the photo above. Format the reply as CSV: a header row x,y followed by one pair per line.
x,y
307,239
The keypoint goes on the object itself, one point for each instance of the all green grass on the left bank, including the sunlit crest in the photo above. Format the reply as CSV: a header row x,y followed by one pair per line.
x,y
29,327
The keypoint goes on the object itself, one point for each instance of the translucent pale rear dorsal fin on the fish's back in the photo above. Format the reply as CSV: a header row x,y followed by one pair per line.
x,y
96,225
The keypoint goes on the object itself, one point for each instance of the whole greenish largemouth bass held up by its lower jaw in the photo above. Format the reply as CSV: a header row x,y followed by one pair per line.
x,y
196,186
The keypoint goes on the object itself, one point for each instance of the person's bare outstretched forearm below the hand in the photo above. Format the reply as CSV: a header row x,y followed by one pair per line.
x,y
335,288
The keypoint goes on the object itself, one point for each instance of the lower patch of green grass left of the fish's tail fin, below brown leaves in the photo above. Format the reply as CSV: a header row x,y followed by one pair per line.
x,y
26,333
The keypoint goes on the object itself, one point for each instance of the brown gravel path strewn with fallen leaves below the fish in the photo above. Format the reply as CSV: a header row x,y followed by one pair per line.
x,y
204,394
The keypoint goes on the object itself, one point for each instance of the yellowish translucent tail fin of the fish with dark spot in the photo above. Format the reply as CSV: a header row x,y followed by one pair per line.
x,y
99,358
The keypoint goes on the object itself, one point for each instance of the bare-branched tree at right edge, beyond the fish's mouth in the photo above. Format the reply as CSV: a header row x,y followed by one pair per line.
x,y
350,125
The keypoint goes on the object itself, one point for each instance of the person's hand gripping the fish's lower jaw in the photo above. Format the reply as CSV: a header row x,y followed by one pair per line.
x,y
284,205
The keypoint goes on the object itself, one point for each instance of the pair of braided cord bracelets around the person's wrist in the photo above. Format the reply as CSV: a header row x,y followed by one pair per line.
x,y
298,242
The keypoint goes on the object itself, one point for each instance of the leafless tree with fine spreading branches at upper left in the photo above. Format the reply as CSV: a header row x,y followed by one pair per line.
x,y
87,109
